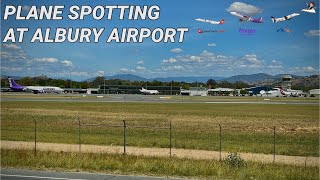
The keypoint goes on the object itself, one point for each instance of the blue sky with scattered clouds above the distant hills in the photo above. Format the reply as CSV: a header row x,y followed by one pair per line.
x,y
207,54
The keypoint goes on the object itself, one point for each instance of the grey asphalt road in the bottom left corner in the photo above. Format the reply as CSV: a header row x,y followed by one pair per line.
x,y
18,174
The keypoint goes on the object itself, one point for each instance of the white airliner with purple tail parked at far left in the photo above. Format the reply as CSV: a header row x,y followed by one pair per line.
x,y
35,89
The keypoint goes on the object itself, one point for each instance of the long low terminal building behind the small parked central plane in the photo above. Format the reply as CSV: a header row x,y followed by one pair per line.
x,y
125,89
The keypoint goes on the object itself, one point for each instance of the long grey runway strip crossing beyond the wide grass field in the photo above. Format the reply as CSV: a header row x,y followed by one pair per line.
x,y
136,98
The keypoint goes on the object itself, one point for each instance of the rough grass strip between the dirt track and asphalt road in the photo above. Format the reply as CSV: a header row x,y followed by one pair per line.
x,y
172,167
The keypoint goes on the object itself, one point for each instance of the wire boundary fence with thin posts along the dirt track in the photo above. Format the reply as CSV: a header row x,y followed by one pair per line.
x,y
125,126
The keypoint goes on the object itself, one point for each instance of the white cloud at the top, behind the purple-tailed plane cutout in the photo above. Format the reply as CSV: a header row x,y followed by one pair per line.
x,y
243,8
